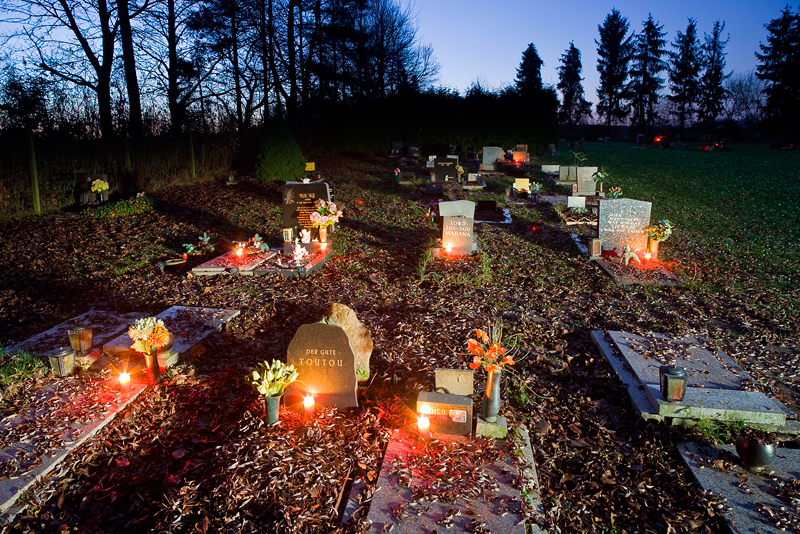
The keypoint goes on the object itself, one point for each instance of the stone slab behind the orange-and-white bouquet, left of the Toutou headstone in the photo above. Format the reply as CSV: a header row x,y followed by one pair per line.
x,y
190,325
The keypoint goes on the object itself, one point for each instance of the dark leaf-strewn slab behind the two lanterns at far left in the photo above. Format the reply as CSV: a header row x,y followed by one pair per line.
x,y
105,325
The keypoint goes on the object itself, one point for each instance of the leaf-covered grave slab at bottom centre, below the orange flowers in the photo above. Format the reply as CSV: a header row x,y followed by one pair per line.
x,y
416,494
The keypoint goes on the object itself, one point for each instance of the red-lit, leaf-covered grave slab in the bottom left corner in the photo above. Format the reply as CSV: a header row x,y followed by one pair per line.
x,y
96,408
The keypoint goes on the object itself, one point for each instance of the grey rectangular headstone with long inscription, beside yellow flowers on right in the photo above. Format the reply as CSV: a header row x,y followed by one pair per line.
x,y
621,222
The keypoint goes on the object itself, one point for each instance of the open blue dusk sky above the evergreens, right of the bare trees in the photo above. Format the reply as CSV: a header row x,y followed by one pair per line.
x,y
480,40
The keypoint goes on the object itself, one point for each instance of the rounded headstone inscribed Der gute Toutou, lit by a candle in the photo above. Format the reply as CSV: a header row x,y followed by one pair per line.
x,y
325,360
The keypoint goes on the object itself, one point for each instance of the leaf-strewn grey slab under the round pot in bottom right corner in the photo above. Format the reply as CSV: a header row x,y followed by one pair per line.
x,y
751,498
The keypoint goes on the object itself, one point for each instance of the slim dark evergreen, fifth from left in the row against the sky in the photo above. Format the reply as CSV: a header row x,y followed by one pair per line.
x,y
685,62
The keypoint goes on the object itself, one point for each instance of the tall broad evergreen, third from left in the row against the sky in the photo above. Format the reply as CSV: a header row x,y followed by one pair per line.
x,y
614,51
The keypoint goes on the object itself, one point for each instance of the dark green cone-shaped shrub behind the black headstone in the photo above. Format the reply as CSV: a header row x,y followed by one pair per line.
x,y
280,157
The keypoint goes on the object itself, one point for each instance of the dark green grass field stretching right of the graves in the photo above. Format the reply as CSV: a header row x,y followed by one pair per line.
x,y
737,212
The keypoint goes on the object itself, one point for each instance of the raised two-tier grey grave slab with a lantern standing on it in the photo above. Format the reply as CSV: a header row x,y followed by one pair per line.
x,y
718,389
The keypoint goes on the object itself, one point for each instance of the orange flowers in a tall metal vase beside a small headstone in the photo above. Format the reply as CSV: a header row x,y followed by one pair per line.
x,y
489,354
